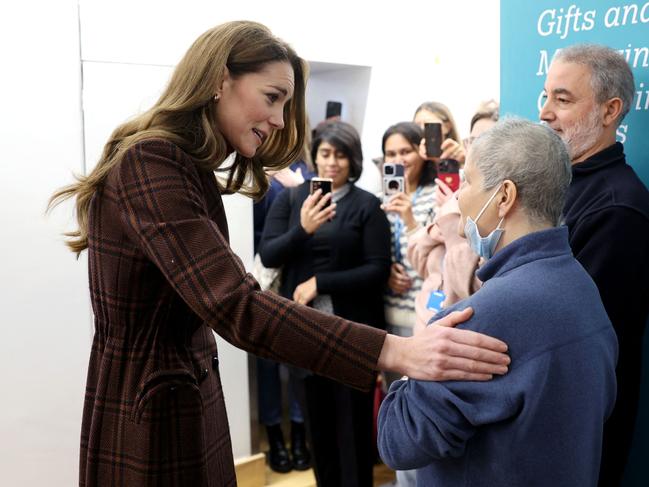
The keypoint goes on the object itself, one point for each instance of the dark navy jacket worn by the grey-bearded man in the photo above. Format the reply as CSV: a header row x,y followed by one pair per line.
x,y
607,213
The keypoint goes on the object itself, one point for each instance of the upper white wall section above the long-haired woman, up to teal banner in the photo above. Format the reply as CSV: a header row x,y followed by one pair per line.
x,y
418,51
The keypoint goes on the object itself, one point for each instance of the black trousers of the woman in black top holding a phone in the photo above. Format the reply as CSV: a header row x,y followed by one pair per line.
x,y
340,424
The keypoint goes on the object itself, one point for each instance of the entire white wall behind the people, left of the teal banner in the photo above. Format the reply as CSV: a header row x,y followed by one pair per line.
x,y
418,51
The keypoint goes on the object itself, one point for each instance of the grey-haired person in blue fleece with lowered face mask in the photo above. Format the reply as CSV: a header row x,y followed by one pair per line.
x,y
542,423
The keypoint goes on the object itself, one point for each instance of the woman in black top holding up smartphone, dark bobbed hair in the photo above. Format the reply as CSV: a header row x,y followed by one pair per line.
x,y
334,250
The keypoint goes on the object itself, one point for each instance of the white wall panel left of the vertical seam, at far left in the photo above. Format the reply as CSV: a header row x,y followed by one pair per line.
x,y
45,322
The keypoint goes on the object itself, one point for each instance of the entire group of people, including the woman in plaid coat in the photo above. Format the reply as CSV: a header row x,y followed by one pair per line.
x,y
510,270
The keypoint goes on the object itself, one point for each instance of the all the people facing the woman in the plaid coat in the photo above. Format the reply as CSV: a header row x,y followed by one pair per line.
x,y
532,197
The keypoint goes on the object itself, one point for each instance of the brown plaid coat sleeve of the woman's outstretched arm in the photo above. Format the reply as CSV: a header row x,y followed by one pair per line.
x,y
162,196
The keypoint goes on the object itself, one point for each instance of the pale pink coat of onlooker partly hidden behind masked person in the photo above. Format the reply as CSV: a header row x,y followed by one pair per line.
x,y
444,260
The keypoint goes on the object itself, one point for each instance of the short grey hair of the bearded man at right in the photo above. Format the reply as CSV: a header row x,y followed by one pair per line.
x,y
610,77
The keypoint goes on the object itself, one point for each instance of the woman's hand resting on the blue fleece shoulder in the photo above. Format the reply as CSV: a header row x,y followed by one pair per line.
x,y
441,352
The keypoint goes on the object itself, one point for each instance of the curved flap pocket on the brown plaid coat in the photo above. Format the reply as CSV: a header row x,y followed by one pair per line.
x,y
165,393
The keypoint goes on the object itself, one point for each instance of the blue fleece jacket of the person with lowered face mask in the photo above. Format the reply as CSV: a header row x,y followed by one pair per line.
x,y
540,424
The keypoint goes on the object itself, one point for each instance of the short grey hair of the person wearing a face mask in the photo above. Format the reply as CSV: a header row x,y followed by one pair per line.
x,y
533,157
